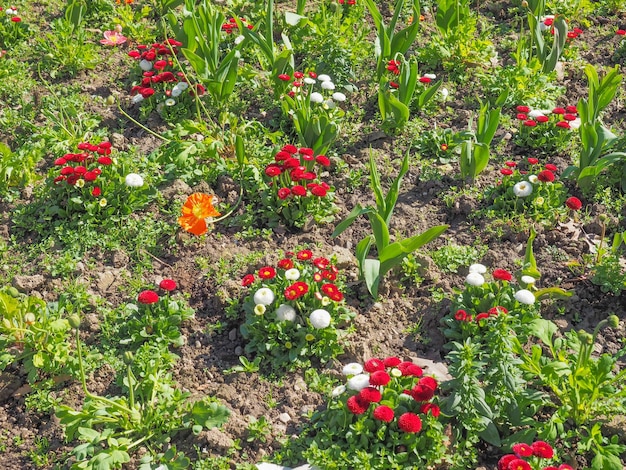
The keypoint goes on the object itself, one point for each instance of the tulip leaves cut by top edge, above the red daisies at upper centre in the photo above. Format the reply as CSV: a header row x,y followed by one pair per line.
x,y
390,43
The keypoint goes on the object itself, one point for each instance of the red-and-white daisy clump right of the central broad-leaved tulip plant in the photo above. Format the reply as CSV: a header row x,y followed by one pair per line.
x,y
482,301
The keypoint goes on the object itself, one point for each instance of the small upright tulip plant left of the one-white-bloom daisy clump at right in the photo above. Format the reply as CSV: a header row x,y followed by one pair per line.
x,y
474,146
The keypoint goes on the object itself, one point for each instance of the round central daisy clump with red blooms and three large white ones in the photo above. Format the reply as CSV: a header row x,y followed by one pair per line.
x,y
295,311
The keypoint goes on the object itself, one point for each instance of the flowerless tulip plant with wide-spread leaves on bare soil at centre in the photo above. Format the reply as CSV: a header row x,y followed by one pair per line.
x,y
390,254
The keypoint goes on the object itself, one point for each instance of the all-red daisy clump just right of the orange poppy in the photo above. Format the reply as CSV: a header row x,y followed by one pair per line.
x,y
295,192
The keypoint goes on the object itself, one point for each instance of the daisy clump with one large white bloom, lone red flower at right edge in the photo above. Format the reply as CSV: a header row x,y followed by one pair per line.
x,y
531,189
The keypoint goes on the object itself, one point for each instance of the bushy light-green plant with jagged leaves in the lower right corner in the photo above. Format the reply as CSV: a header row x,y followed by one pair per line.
x,y
585,390
